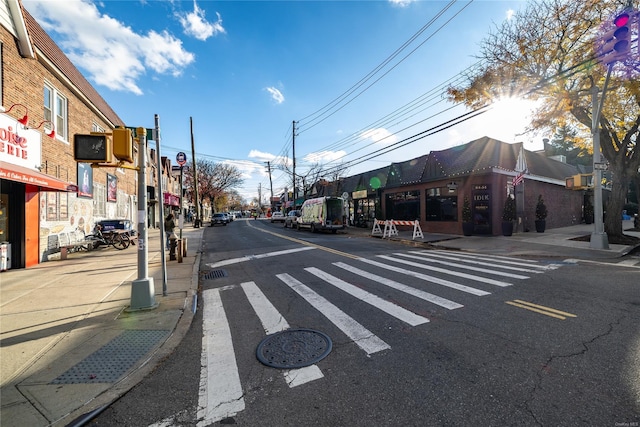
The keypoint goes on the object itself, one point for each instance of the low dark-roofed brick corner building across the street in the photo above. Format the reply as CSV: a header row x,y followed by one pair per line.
x,y
431,189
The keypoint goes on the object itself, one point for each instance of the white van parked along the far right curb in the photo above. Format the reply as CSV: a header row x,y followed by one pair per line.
x,y
322,213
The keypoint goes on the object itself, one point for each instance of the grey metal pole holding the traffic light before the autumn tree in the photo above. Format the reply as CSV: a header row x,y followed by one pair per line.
x,y
599,239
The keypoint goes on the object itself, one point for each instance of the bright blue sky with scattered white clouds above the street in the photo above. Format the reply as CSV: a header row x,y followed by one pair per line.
x,y
356,76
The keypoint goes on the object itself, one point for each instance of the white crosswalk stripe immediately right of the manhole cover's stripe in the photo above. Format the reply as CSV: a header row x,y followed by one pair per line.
x,y
364,338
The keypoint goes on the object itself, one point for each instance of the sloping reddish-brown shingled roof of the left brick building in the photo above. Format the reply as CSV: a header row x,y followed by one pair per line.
x,y
52,52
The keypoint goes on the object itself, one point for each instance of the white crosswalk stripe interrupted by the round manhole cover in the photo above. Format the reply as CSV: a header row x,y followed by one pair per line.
x,y
272,322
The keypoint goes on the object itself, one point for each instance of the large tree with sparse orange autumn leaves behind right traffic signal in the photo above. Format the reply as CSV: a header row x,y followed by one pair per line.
x,y
547,52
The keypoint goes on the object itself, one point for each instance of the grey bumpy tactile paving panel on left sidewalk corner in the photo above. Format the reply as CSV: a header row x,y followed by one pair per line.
x,y
114,359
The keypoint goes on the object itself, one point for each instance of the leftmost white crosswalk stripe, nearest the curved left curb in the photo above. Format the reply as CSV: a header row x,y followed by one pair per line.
x,y
220,393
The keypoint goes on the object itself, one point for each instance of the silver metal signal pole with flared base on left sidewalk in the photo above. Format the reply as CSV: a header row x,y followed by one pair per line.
x,y
142,289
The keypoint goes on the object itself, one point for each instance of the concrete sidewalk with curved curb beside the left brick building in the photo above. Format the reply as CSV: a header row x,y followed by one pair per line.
x,y
68,344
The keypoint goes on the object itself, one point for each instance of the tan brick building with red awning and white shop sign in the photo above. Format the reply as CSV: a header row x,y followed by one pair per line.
x,y
43,191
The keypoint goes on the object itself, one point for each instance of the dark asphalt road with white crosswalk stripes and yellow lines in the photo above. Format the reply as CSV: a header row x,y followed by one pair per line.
x,y
514,342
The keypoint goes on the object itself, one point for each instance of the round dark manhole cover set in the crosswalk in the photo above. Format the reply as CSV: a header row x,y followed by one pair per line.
x,y
293,348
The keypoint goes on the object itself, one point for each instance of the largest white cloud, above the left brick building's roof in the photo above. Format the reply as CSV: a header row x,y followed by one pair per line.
x,y
111,53
